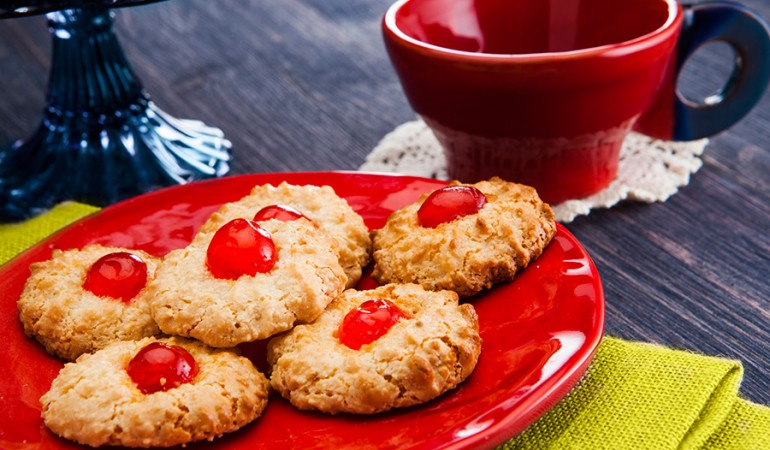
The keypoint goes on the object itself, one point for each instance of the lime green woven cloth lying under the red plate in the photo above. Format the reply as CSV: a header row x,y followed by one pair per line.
x,y
633,396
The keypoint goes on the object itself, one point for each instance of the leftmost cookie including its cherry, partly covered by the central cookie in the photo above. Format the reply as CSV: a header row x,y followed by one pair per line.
x,y
81,300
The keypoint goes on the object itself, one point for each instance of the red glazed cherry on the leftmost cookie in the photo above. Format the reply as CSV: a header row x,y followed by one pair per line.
x,y
118,275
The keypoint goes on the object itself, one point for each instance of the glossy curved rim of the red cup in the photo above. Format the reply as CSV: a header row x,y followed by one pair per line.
x,y
675,13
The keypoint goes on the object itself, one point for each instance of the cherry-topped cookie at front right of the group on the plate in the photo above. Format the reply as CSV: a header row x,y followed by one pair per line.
x,y
371,351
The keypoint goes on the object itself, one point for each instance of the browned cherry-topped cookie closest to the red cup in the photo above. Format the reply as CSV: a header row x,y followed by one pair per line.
x,y
464,237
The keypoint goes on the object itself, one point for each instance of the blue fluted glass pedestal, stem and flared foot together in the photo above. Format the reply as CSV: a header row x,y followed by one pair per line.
x,y
101,139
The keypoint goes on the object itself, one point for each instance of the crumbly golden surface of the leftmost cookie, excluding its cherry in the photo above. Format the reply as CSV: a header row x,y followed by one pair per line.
x,y
69,320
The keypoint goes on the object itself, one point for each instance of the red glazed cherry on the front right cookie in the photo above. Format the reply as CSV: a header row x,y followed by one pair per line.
x,y
368,322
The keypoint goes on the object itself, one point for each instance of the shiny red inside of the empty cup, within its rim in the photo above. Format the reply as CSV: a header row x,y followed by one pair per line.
x,y
528,26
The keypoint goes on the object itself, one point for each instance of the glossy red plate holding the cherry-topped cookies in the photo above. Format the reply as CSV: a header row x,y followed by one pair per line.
x,y
539,332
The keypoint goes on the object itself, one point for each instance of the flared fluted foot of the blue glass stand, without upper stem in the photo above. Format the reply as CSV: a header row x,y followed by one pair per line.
x,y
101,160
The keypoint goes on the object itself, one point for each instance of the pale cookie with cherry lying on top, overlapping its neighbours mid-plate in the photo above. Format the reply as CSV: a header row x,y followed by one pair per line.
x,y
205,291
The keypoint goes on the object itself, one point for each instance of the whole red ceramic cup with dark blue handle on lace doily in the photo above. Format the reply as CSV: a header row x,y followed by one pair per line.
x,y
543,92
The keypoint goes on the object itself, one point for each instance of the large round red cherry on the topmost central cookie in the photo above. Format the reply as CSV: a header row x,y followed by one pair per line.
x,y
240,247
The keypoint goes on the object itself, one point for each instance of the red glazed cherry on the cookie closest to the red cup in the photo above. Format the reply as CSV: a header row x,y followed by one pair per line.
x,y
447,204
